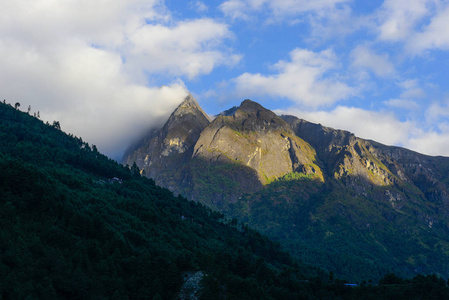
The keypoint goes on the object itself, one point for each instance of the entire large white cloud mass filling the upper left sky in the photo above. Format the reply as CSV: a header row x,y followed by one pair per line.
x,y
90,64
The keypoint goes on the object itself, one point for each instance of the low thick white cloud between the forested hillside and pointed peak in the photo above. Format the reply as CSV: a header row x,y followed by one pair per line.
x,y
84,88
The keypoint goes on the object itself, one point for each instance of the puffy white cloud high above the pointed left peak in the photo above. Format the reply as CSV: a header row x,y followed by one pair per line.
x,y
190,48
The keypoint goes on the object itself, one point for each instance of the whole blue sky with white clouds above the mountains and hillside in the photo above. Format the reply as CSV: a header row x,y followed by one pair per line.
x,y
108,70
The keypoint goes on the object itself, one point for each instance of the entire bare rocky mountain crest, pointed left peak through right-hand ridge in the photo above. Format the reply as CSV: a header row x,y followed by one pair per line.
x,y
267,147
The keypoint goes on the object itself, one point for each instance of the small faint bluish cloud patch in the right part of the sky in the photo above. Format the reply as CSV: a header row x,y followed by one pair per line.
x,y
364,57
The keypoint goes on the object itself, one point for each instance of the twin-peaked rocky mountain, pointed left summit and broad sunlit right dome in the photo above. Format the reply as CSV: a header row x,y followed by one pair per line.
x,y
243,148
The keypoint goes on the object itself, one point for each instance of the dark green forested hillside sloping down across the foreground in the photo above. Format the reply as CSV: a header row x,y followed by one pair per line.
x,y
77,225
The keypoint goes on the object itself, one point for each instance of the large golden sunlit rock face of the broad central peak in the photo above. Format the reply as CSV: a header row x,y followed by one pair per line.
x,y
255,137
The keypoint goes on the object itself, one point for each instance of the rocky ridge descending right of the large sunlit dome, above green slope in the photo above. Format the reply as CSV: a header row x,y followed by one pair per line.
x,y
361,165
